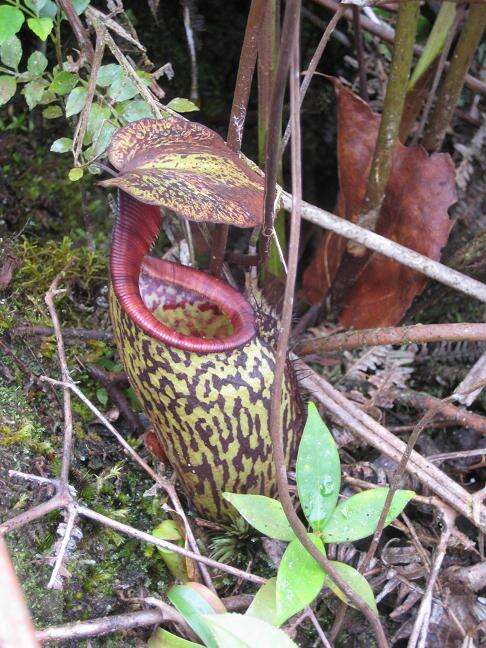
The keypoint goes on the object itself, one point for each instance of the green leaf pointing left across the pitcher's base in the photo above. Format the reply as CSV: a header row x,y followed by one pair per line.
x,y
263,513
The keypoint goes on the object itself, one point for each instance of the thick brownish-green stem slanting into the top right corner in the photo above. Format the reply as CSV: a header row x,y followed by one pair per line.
x,y
453,83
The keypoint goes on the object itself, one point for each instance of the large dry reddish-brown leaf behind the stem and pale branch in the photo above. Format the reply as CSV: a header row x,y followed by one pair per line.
x,y
414,213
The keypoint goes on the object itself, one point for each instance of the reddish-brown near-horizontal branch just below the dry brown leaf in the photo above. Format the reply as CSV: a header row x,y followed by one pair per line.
x,y
420,333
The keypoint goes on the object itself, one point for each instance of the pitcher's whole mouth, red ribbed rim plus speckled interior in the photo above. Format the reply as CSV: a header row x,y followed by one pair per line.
x,y
174,304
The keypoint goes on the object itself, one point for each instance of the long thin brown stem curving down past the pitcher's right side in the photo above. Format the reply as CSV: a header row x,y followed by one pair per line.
x,y
282,346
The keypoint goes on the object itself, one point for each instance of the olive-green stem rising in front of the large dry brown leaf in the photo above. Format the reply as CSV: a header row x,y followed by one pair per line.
x,y
396,91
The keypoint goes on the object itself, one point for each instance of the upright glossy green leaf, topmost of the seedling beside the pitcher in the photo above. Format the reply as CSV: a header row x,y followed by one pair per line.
x,y
318,470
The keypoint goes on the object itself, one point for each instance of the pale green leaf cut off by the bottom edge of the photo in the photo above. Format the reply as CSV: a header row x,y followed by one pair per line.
x,y
240,631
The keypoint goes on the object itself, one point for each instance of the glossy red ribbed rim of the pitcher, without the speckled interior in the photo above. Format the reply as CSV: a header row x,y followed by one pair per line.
x,y
134,234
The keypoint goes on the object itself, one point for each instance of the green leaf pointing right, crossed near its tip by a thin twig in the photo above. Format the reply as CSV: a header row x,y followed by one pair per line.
x,y
357,517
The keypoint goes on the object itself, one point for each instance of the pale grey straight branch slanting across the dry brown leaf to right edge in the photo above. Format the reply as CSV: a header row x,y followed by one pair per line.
x,y
388,248
